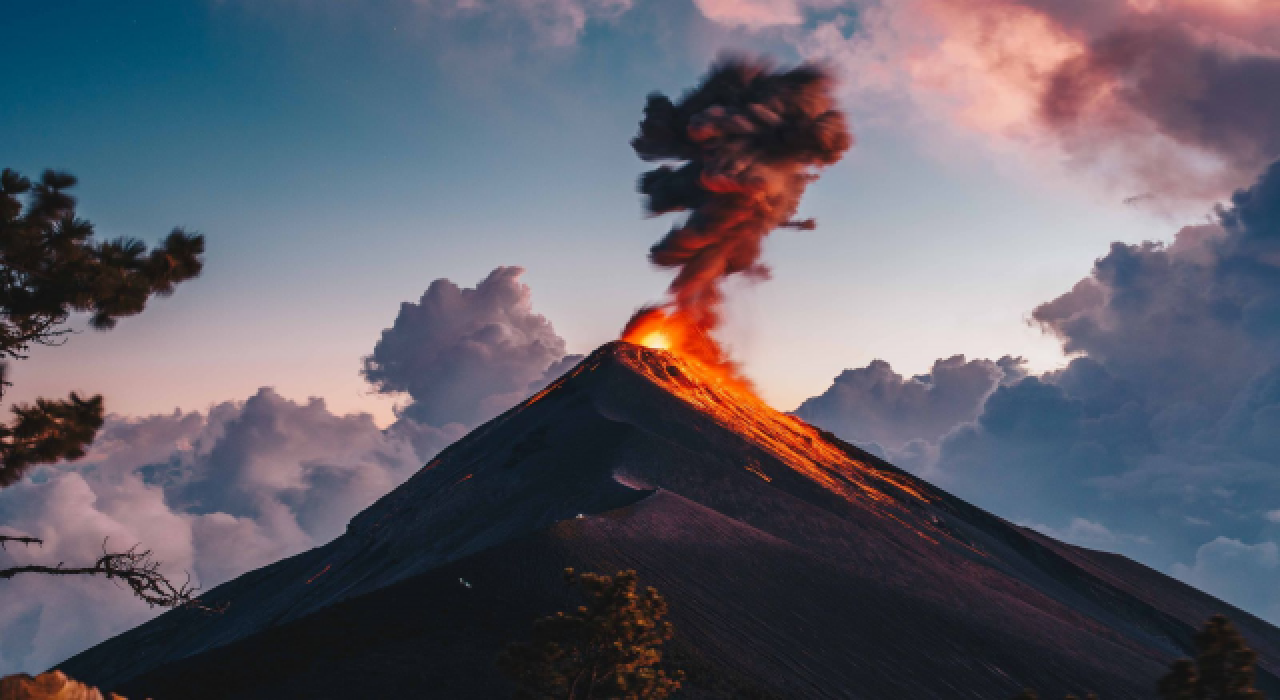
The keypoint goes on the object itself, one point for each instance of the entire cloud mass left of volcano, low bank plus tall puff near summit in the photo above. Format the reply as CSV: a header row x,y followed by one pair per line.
x,y
223,492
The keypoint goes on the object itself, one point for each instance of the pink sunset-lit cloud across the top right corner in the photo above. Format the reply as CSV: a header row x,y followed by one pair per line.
x,y
1178,98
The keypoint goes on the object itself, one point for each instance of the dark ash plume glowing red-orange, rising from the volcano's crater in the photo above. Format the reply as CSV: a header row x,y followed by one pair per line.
x,y
749,138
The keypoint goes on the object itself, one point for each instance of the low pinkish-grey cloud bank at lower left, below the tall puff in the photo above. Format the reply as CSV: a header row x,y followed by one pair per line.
x,y
213,495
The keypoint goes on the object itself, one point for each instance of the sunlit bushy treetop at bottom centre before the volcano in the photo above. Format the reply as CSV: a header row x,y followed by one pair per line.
x,y
607,649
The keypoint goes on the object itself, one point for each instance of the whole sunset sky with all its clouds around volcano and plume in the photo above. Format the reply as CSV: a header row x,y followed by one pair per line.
x,y
382,182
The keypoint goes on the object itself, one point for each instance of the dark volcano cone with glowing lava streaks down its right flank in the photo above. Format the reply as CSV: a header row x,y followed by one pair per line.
x,y
796,565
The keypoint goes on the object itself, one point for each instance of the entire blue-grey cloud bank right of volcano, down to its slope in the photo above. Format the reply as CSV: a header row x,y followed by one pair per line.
x,y
1160,440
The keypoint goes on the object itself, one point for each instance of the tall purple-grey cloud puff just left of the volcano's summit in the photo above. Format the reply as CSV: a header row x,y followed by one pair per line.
x,y
465,355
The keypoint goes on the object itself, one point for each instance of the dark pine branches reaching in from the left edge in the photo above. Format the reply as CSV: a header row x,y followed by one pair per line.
x,y
53,267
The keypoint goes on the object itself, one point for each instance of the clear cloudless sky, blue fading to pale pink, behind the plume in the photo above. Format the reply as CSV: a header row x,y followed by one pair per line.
x,y
339,161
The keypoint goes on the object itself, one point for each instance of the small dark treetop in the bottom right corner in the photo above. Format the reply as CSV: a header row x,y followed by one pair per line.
x,y
1223,670
